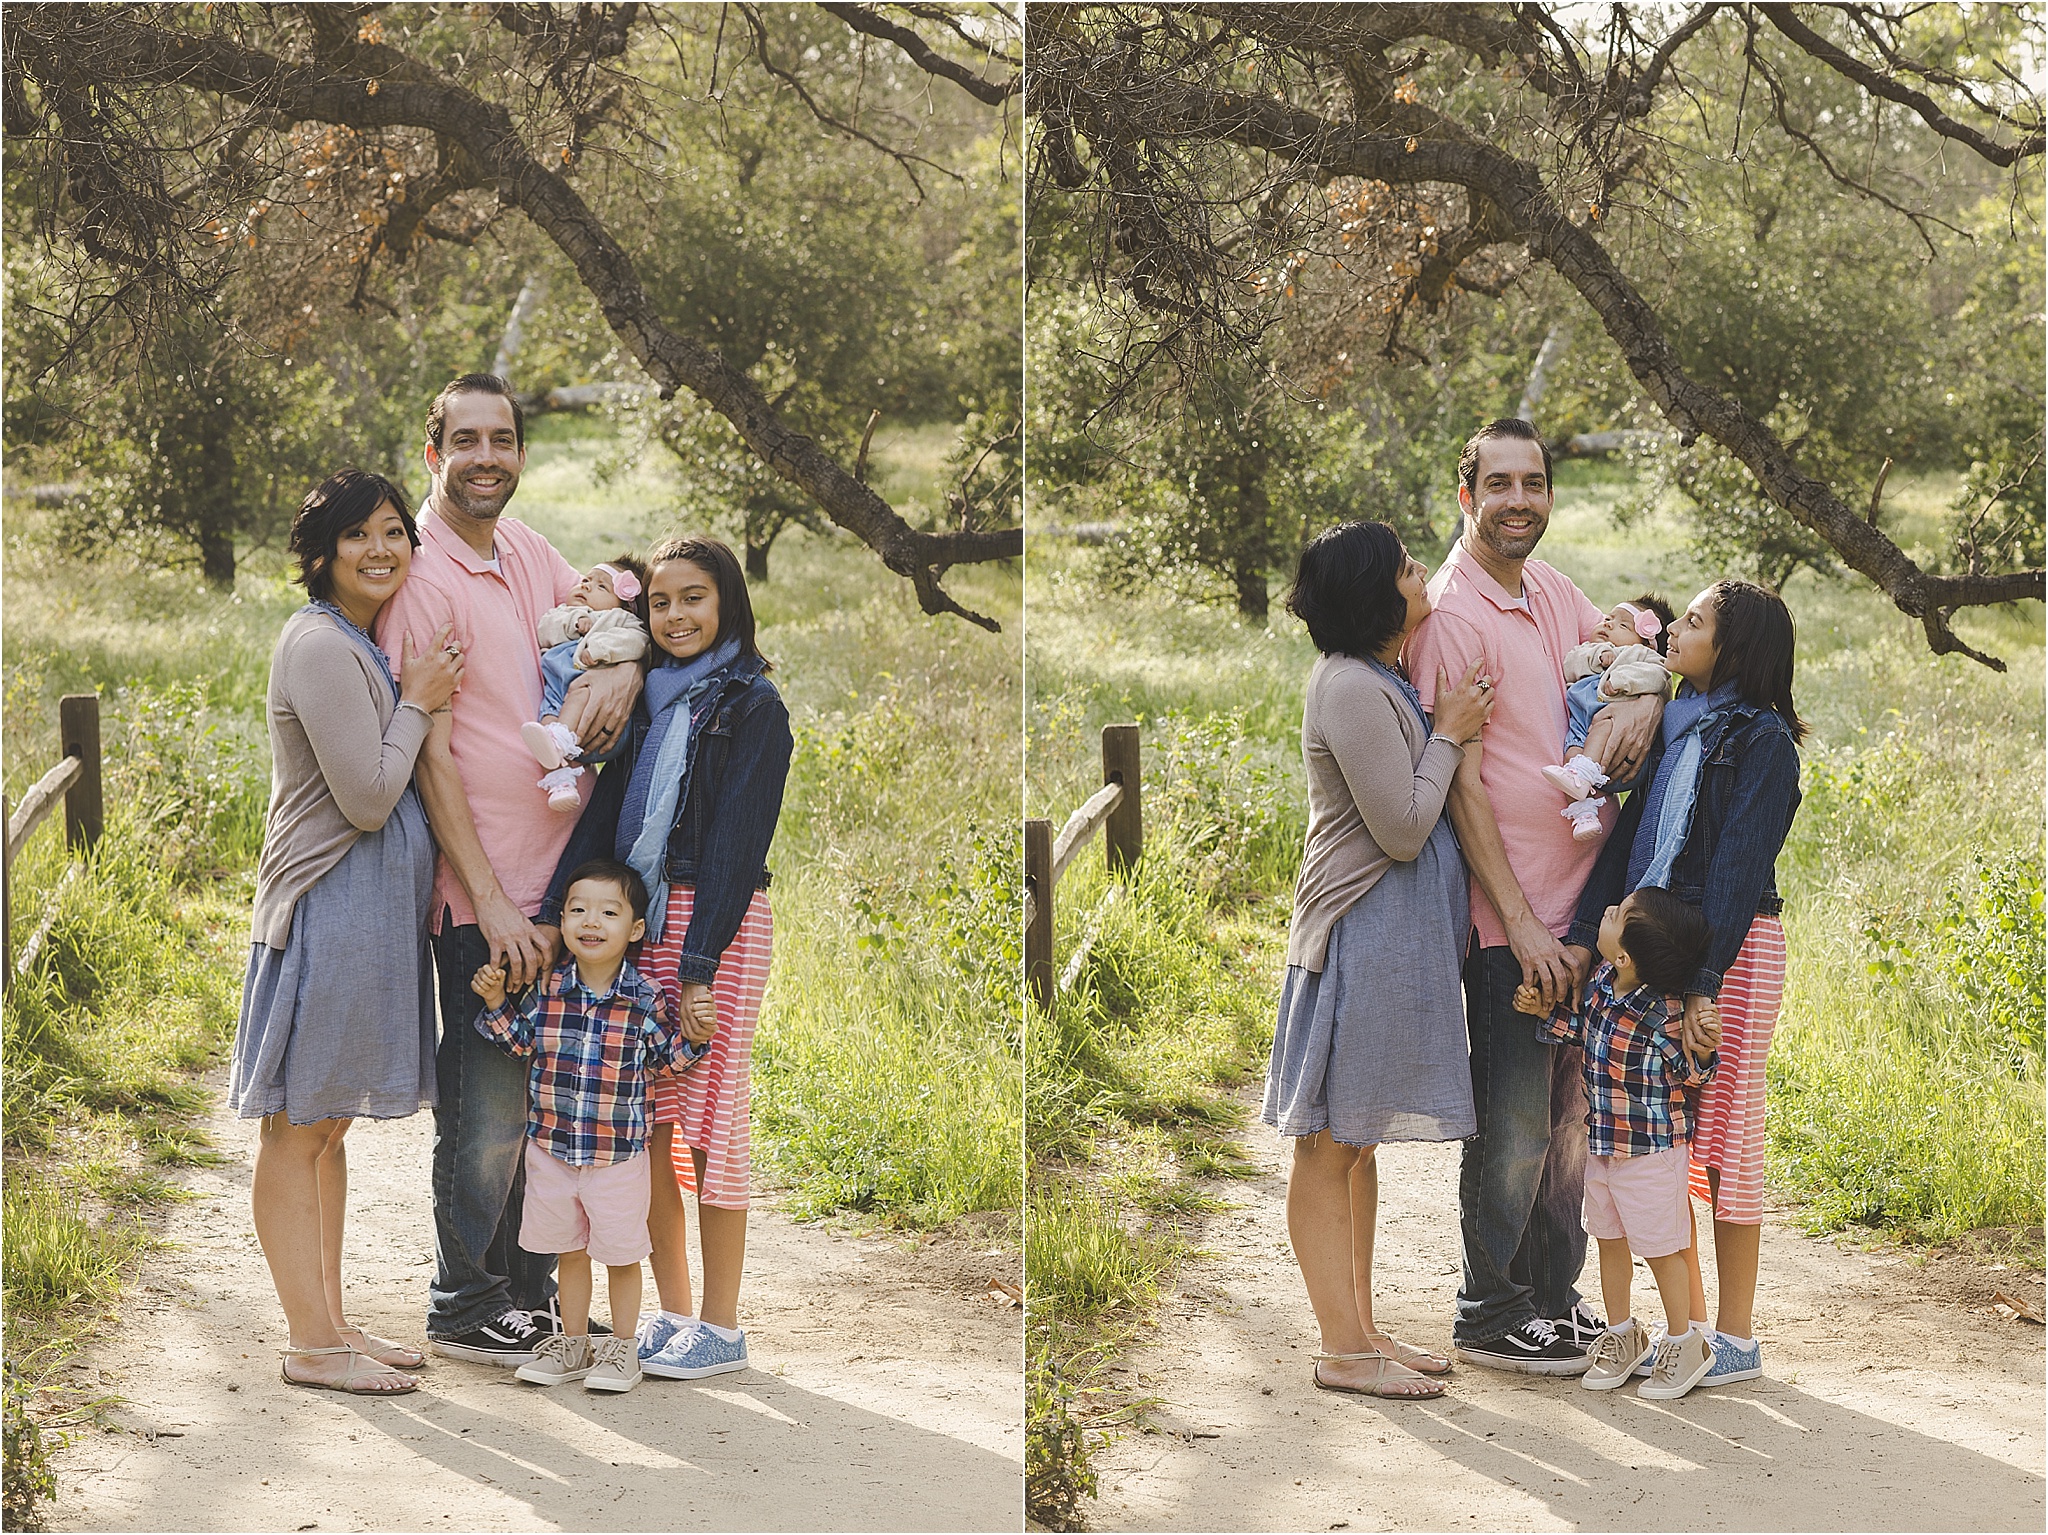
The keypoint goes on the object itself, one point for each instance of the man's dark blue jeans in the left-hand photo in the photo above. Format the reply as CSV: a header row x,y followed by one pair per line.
x,y
480,1137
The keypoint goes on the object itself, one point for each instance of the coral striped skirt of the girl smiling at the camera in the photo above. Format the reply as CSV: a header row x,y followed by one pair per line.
x,y
712,1102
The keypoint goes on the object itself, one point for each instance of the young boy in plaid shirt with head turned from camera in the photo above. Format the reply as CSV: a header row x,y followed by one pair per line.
x,y
1639,1088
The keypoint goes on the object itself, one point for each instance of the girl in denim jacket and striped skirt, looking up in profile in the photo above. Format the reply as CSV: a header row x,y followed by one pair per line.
x,y
1709,830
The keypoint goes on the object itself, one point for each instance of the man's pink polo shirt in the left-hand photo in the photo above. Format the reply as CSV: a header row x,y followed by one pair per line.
x,y
495,615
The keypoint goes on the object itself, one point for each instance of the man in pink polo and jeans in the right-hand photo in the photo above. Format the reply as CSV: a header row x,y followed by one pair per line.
x,y
1525,1174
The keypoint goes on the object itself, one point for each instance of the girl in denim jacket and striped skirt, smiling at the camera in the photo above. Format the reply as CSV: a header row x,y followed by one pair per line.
x,y
693,805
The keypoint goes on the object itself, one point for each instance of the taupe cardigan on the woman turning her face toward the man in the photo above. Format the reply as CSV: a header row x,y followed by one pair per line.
x,y
1377,787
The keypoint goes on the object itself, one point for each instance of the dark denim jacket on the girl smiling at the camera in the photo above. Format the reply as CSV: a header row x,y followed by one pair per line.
x,y
736,769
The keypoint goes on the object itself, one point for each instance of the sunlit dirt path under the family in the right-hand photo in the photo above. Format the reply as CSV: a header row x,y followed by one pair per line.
x,y
1893,1399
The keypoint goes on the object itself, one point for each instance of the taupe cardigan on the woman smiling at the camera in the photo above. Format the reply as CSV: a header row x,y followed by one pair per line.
x,y
341,756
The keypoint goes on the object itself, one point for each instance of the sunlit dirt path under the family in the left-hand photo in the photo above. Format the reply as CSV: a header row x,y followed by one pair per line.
x,y
884,1397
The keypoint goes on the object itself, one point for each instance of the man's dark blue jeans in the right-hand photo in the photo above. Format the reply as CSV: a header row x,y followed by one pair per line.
x,y
1523,1178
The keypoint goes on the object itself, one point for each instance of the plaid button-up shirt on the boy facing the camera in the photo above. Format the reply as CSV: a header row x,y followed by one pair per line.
x,y
587,1098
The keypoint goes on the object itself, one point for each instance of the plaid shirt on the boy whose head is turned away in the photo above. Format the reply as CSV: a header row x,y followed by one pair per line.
x,y
1639,1080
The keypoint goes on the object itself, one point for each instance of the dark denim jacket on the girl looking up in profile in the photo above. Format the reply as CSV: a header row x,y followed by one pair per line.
x,y
1740,822
